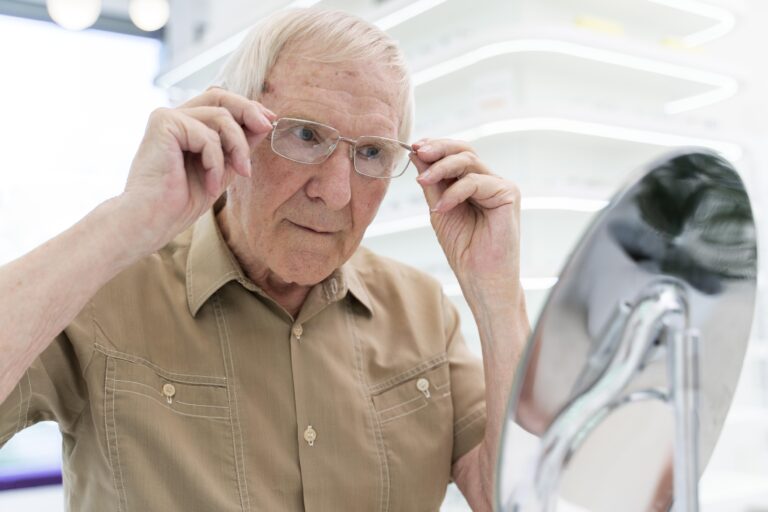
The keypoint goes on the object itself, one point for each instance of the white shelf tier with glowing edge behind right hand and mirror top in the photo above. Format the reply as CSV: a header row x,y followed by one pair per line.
x,y
529,151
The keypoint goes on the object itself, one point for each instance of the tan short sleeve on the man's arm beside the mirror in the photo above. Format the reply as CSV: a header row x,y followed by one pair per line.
x,y
467,387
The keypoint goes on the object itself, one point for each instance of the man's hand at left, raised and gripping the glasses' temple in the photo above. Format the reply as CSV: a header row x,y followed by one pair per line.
x,y
186,160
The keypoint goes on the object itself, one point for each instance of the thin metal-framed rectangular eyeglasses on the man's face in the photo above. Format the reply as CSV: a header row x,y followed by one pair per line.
x,y
307,142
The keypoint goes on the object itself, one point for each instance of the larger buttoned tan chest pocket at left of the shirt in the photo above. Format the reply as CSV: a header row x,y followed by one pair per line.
x,y
169,438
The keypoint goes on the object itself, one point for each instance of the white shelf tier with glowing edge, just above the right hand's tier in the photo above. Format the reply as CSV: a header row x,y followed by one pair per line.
x,y
534,72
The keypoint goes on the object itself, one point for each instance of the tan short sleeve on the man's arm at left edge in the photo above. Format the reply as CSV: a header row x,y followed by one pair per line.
x,y
52,389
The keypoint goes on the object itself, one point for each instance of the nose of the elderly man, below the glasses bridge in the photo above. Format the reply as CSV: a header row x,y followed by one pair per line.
x,y
332,183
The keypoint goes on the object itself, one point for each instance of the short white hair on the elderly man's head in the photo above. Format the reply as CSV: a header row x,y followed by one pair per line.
x,y
327,36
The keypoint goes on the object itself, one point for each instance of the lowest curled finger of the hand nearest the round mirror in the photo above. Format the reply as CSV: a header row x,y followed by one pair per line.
x,y
482,190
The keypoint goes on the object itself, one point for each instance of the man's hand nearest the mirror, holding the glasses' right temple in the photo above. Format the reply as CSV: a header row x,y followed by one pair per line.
x,y
475,213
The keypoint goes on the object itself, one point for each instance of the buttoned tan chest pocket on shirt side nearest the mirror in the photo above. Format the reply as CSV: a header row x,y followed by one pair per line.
x,y
415,413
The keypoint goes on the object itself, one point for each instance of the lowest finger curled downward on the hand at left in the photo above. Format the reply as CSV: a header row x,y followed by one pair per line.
x,y
195,136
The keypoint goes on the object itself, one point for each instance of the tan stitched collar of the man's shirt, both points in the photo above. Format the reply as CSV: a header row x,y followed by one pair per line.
x,y
211,265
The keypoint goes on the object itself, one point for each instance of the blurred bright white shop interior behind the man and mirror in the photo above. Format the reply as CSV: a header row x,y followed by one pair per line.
x,y
565,97
